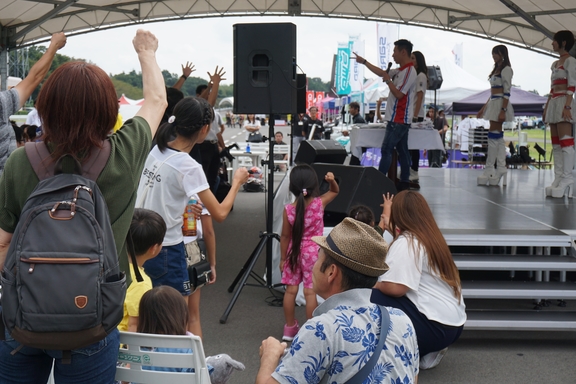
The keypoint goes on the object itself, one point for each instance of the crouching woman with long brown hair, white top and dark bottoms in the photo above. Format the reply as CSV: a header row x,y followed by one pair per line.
x,y
423,280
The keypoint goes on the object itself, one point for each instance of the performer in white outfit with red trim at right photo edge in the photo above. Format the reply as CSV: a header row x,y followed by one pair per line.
x,y
558,113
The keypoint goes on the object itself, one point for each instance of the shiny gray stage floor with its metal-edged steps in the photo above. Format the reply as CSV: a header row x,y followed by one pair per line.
x,y
512,245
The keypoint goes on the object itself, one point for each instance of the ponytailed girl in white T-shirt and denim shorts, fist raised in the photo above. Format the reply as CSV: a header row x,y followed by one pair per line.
x,y
170,178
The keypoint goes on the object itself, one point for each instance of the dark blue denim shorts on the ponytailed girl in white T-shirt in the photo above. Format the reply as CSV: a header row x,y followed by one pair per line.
x,y
169,268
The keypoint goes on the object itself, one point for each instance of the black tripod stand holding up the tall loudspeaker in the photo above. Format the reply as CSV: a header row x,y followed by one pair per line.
x,y
266,239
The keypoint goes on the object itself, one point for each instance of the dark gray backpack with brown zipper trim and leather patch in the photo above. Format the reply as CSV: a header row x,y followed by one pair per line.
x,y
62,286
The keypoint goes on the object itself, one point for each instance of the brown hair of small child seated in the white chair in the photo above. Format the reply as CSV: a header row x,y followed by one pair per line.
x,y
162,311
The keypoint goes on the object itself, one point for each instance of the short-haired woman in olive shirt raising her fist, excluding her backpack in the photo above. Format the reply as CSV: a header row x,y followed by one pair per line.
x,y
78,107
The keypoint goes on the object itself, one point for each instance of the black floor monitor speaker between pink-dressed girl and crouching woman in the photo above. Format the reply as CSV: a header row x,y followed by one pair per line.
x,y
358,186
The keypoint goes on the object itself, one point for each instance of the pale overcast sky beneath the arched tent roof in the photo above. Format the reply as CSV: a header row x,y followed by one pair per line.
x,y
208,42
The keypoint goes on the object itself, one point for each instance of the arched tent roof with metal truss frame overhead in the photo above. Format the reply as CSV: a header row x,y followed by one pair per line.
x,y
525,23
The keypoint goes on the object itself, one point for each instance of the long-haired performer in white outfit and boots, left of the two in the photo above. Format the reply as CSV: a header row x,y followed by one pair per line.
x,y
498,110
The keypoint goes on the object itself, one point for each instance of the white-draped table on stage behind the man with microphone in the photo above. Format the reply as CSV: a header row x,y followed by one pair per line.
x,y
373,138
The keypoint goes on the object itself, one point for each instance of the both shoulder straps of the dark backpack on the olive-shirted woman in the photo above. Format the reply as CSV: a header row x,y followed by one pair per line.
x,y
41,161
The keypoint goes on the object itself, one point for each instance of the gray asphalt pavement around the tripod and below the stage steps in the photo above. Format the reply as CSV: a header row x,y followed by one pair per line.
x,y
478,357
